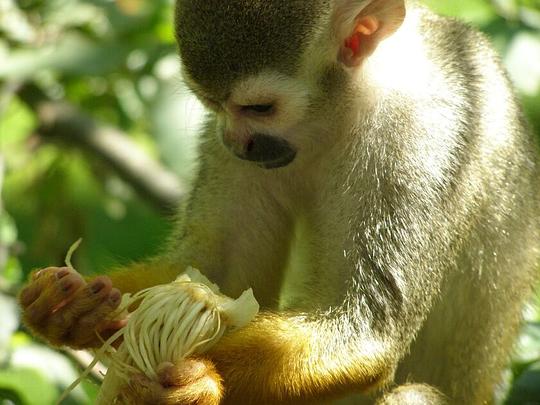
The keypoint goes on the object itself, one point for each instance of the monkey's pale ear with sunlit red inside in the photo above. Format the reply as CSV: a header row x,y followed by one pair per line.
x,y
360,25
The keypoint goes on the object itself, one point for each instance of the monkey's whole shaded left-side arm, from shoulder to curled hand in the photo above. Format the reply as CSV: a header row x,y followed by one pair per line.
x,y
216,235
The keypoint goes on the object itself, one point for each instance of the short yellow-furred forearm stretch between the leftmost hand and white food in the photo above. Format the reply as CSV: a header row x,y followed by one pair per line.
x,y
138,276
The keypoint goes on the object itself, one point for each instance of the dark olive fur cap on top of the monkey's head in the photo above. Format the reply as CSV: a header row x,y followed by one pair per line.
x,y
223,40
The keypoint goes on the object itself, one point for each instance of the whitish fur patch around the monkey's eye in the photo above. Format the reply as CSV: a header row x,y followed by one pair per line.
x,y
288,95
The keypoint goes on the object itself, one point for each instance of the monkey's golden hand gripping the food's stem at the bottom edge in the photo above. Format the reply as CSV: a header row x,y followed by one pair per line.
x,y
193,382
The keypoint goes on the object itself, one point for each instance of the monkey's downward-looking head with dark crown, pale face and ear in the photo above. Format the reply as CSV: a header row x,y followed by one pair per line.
x,y
272,70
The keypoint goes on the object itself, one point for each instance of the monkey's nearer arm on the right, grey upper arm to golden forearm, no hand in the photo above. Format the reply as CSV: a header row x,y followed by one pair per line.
x,y
390,262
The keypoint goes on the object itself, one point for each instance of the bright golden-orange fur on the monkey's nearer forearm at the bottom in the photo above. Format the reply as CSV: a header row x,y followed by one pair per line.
x,y
288,360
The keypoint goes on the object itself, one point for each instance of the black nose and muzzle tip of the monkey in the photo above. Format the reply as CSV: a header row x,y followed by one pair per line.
x,y
267,151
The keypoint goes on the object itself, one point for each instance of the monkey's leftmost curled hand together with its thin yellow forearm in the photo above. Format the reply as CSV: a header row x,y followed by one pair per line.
x,y
64,308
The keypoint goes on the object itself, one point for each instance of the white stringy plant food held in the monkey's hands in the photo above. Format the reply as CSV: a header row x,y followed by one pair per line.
x,y
173,321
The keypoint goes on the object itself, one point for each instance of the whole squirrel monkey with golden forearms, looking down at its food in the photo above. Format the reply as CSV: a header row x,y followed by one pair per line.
x,y
365,167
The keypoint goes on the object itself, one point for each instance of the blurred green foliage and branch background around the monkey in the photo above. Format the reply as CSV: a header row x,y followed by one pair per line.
x,y
97,139
